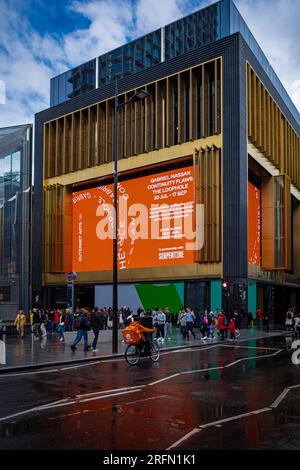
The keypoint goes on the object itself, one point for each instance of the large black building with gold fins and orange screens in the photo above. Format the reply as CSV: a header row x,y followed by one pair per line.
x,y
218,129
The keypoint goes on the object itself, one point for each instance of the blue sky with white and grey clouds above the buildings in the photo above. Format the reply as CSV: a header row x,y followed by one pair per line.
x,y
42,38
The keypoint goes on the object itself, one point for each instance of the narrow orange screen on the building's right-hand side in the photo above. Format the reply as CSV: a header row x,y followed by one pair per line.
x,y
254,225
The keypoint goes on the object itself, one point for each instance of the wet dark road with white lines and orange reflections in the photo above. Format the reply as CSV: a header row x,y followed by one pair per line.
x,y
200,398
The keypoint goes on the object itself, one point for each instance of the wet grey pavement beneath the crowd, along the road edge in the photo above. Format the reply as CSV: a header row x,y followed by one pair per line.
x,y
30,353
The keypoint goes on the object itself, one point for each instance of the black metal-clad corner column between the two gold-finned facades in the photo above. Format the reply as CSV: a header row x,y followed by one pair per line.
x,y
235,164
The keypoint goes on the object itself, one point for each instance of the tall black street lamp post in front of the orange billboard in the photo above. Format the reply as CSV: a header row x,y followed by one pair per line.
x,y
139,96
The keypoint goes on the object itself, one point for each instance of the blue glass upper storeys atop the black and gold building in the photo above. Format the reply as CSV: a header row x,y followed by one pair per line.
x,y
200,28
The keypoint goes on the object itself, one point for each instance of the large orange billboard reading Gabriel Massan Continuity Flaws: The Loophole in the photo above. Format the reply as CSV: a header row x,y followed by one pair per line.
x,y
159,212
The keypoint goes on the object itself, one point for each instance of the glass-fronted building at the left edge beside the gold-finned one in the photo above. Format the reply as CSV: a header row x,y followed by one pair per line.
x,y
15,219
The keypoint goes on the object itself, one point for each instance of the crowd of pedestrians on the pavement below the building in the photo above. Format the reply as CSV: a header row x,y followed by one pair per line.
x,y
211,324
